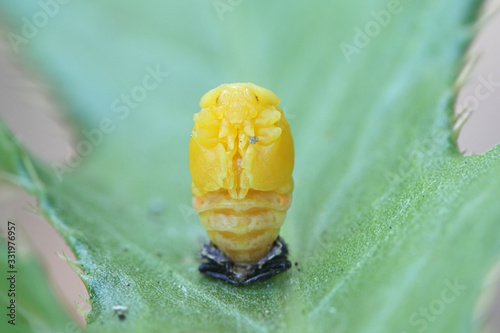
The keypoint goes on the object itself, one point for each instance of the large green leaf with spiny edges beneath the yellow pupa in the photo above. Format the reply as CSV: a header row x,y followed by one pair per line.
x,y
392,229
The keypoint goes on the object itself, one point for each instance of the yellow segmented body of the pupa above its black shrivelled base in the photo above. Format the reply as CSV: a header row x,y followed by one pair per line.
x,y
241,160
